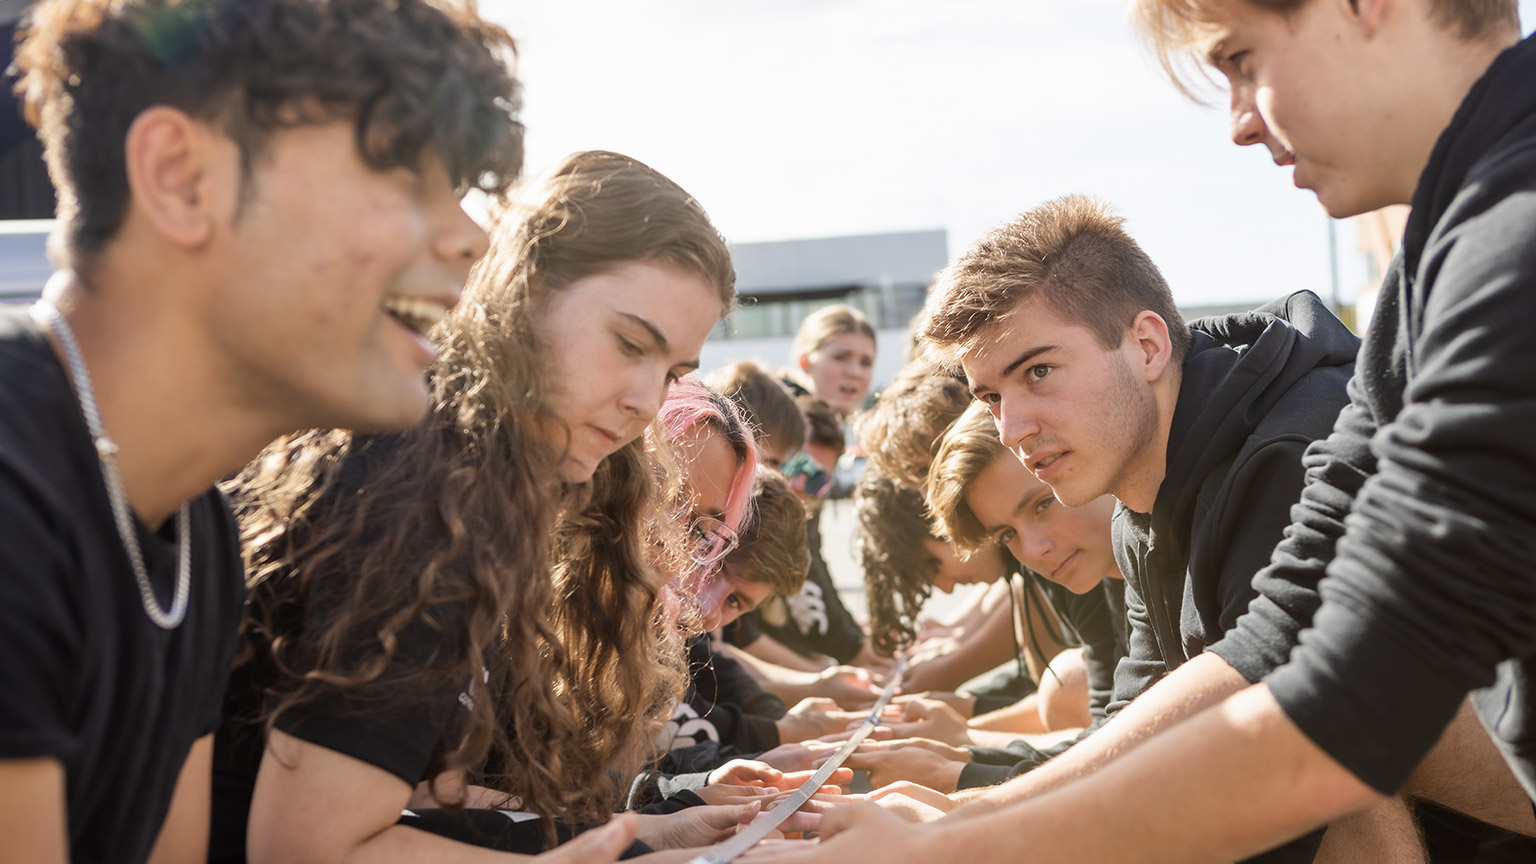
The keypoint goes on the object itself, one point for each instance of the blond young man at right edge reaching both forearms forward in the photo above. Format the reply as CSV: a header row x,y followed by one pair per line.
x,y
1429,594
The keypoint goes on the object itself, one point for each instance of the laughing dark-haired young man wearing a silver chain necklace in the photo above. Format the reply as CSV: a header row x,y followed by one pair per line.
x,y
259,222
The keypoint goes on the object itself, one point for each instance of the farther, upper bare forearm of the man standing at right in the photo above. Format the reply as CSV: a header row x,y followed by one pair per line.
x,y
1191,688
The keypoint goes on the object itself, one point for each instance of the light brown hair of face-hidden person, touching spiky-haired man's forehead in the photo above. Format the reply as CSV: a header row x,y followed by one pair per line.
x,y
902,431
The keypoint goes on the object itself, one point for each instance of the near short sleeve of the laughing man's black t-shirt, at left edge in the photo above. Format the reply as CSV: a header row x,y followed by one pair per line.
x,y
38,636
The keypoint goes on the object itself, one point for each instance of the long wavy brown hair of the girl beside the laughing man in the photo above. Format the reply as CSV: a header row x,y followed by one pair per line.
x,y
548,593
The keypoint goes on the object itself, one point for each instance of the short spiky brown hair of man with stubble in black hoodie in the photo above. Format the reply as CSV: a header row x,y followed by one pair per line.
x,y
1074,254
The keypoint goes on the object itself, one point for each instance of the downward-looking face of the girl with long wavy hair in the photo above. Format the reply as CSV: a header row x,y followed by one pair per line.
x,y
617,342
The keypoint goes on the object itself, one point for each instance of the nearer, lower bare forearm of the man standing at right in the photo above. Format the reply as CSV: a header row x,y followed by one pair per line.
x,y
1231,782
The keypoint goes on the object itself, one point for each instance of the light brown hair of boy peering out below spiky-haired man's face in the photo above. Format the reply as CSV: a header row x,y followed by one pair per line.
x,y
967,450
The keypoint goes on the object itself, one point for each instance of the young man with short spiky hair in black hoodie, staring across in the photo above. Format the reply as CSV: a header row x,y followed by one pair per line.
x,y
1068,333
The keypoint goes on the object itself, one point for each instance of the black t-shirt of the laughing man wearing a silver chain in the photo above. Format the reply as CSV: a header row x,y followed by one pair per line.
x,y
88,679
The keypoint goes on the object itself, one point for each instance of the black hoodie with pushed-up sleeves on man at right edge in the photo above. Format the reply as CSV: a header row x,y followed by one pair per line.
x,y
1431,593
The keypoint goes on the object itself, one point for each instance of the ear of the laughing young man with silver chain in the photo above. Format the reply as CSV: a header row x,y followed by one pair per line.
x,y
173,174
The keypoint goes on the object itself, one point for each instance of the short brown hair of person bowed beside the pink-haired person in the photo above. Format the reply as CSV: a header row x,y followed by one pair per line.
x,y
773,550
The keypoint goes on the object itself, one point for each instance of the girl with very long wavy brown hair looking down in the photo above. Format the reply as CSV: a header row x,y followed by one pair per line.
x,y
466,616
